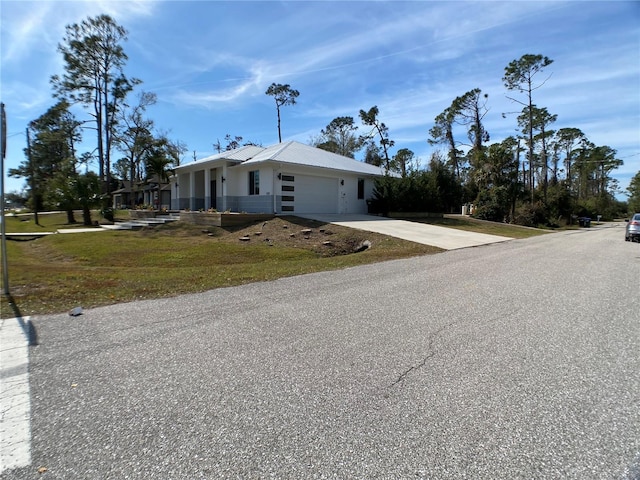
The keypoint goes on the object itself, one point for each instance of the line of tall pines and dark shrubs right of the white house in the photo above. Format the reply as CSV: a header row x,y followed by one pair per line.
x,y
541,176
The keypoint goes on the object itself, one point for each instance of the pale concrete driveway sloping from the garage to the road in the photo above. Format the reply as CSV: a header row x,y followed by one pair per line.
x,y
442,237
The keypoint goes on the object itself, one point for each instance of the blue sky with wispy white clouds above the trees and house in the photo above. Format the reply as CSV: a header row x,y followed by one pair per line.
x,y
211,62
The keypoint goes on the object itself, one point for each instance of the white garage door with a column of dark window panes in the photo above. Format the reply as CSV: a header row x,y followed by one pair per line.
x,y
306,194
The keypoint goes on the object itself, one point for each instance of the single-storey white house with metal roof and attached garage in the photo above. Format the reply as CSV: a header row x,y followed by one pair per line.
x,y
284,178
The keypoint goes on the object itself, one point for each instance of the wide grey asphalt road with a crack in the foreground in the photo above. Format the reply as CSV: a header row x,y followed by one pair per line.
x,y
517,360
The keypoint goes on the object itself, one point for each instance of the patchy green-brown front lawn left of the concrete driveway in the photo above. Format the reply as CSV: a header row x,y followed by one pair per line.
x,y
55,273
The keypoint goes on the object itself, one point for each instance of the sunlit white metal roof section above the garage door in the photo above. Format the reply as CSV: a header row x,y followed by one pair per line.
x,y
300,154
